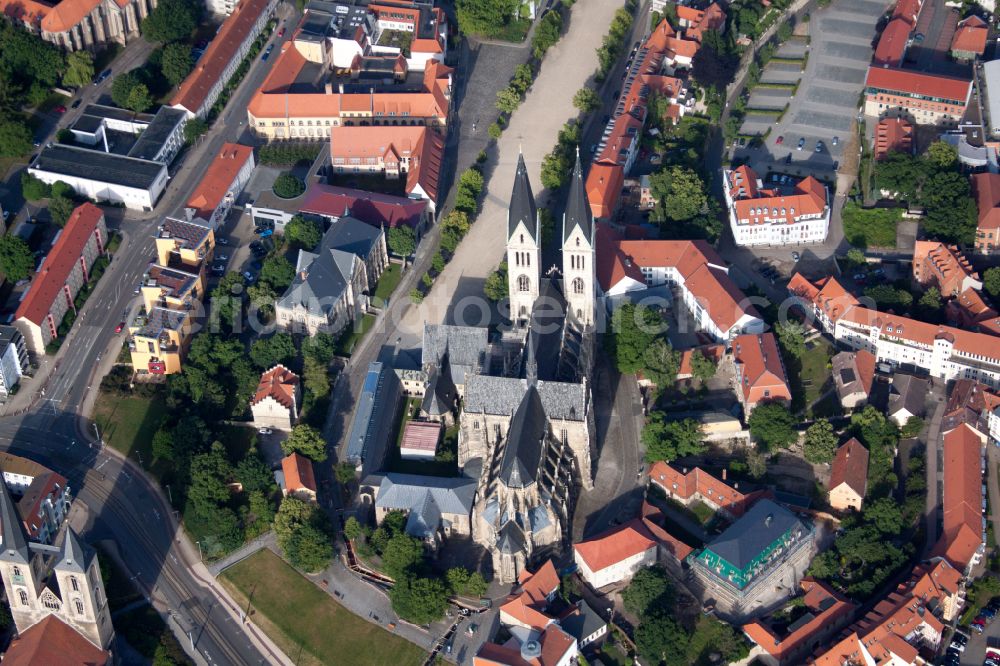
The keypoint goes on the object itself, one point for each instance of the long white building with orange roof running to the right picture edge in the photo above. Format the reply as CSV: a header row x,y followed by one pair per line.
x,y
943,352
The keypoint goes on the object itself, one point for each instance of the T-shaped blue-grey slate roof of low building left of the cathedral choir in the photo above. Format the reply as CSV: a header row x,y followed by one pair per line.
x,y
426,498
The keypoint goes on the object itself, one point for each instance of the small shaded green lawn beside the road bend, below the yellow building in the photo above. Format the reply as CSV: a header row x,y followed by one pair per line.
x,y
128,424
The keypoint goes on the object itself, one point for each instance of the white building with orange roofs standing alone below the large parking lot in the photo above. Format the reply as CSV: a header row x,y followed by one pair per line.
x,y
770,216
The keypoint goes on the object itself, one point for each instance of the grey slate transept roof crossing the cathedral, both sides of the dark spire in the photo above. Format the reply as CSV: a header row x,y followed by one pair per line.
x,y
502,395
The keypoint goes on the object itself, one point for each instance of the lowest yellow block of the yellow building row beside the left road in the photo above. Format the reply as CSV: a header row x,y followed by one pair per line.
x,y
159,340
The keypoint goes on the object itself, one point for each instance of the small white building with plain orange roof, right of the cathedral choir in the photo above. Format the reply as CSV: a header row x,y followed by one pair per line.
x,y
615,556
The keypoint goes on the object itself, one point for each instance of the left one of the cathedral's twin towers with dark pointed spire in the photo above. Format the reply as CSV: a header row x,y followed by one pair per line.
x,y
524,253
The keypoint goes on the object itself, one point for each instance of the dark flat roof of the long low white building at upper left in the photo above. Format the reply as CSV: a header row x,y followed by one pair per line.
x,y
98,166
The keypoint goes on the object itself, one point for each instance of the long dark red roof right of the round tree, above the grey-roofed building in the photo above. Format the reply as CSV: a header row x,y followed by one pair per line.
x,y
370,207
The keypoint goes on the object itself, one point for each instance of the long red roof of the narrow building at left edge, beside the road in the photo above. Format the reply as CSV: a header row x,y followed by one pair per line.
x,y
59,263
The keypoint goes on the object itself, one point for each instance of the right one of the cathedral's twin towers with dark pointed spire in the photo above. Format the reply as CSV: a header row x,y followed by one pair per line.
x,y
578,253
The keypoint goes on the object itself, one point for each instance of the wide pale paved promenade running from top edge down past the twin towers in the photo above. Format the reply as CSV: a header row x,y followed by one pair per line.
x,y
533,128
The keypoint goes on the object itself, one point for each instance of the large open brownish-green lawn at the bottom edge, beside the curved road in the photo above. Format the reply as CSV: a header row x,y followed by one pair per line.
x,y
306,622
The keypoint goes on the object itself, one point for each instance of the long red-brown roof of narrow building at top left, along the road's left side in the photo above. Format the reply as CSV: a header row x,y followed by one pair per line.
x,y
224,47
